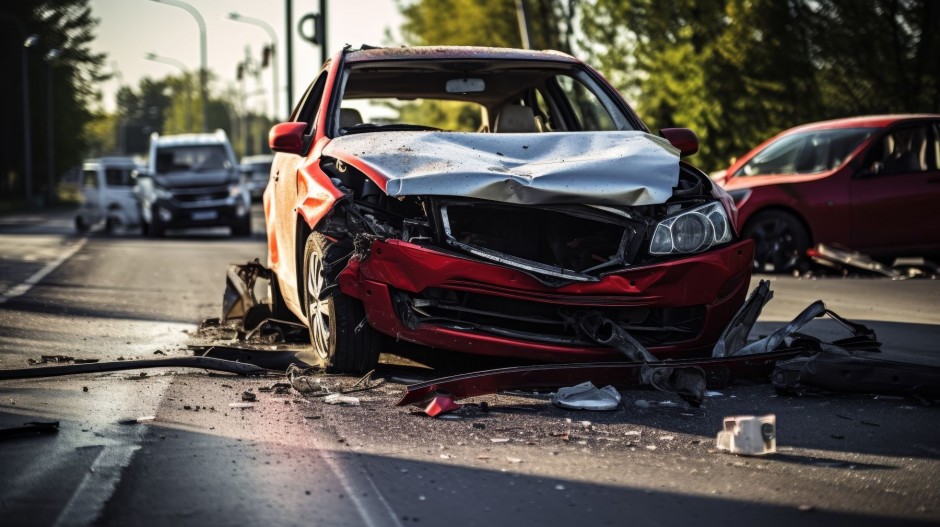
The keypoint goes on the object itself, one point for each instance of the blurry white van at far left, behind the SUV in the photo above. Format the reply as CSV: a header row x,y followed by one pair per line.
x,y
107,194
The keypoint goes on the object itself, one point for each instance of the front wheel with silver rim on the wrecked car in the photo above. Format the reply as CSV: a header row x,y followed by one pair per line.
x,y
341,337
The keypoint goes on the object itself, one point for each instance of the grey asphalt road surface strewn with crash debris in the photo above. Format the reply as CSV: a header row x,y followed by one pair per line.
x,y
293,460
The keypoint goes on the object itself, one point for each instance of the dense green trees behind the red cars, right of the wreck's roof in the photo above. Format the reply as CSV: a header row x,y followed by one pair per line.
x,y
739,71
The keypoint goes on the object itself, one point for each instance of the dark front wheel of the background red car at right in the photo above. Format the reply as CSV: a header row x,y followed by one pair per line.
x,y
781,242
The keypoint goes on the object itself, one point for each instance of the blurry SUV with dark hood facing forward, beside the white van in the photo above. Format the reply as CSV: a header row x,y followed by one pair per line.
x,y
192,181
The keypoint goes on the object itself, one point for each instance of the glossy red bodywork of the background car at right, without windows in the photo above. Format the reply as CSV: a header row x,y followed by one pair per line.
x,y
878,213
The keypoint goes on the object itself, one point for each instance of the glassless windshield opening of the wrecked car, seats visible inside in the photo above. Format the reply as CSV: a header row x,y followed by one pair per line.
x,y
502,97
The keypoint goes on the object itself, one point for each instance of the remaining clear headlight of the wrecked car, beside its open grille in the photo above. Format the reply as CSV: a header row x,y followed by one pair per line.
x,y
692,231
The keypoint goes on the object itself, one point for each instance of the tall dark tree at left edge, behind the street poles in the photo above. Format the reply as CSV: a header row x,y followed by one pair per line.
x,y
73,71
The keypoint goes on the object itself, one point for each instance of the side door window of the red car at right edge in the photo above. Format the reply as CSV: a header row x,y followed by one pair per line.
x,y
905,150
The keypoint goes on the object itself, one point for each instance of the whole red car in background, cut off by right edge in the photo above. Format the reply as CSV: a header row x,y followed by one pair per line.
x,y
869,183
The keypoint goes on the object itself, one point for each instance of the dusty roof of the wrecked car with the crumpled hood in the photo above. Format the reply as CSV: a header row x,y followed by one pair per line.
x,y
455,52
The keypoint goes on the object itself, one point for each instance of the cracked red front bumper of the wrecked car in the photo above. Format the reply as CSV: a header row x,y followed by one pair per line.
x,y
717,279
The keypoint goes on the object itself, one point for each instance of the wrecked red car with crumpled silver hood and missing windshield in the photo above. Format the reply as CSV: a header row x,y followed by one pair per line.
x,y
489,201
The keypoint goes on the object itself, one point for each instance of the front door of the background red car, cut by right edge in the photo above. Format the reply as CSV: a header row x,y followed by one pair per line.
x,y
896,191
